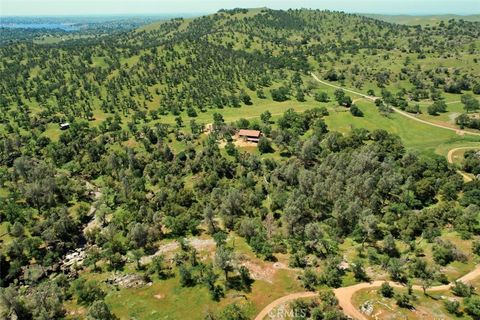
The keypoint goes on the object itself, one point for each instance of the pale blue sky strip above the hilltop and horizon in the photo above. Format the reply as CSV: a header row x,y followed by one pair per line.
x,y
136,7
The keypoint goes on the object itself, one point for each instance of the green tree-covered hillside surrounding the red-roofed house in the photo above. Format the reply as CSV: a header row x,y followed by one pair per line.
x,y
148,179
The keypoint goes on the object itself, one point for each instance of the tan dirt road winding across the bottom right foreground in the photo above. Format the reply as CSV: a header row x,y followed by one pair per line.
x,y
344,295
